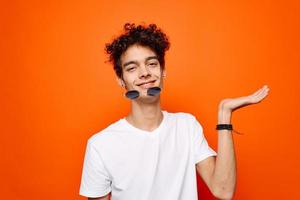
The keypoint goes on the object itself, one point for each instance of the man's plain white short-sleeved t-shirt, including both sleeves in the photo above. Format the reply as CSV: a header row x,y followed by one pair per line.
x,y
134,164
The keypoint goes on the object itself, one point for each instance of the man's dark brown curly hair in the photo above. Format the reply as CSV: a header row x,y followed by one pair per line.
x,y
149,36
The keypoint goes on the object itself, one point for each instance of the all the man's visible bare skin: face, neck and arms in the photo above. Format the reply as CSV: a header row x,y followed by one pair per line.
x,y
140,66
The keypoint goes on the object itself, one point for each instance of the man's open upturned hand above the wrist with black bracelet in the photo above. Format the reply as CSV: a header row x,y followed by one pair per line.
x,y
230,105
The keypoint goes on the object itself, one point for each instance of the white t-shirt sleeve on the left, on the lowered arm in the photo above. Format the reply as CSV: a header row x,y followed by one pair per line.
x,y
95,181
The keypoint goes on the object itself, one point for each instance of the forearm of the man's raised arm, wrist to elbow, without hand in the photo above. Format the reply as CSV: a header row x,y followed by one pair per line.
x,y
224,176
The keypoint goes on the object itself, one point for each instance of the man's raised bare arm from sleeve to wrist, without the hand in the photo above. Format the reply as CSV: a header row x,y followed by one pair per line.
x,y
220,173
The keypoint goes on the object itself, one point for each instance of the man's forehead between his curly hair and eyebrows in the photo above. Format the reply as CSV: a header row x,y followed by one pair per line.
x,y
136,53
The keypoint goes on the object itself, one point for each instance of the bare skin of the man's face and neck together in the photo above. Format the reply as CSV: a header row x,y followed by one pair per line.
x,y
145,110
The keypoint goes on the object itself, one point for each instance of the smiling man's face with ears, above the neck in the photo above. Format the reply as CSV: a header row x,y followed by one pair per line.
x,y
141,69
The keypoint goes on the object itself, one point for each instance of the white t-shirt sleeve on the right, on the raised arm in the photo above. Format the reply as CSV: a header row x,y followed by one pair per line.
x,y
201,148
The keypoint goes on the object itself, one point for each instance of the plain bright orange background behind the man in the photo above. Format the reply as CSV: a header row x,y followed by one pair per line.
x,y
56,90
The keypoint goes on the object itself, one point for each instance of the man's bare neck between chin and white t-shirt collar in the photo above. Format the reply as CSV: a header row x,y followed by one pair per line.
x,y
145,116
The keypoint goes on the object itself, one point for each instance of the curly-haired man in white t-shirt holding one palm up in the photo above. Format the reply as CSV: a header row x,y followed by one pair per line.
x,y
152,154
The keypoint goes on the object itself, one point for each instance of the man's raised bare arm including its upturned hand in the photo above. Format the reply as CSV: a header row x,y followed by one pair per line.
x,y
219,173
